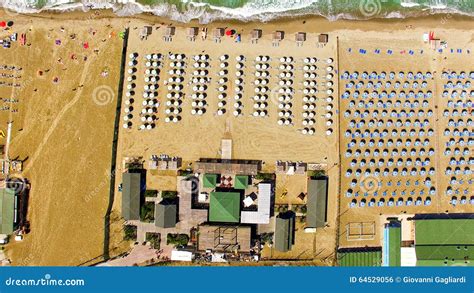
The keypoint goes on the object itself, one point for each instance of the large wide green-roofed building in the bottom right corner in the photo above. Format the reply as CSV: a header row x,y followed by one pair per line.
x,y
444,242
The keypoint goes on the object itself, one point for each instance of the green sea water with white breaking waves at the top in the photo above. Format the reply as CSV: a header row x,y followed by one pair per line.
x,y
209,10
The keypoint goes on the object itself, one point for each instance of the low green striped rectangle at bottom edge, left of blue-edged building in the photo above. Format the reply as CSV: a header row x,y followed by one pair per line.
x,y
360,257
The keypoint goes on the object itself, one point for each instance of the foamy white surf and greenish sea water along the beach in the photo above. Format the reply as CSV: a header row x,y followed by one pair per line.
x,y
206,13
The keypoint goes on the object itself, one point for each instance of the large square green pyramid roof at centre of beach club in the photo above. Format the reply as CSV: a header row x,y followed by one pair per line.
x,y
224,207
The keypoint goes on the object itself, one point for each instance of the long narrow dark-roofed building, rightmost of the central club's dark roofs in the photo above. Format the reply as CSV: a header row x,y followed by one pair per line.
x,y
316,215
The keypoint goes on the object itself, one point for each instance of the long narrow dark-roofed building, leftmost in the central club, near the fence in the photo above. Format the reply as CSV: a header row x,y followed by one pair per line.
x,y
131,196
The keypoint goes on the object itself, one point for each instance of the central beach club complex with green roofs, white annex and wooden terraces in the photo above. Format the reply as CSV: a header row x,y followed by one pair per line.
x,y
234,201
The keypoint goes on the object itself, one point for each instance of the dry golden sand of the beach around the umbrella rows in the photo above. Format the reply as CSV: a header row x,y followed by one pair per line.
x,y
64,125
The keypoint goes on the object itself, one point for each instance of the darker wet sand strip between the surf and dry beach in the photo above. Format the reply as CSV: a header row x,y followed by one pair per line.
x,y
307,23
